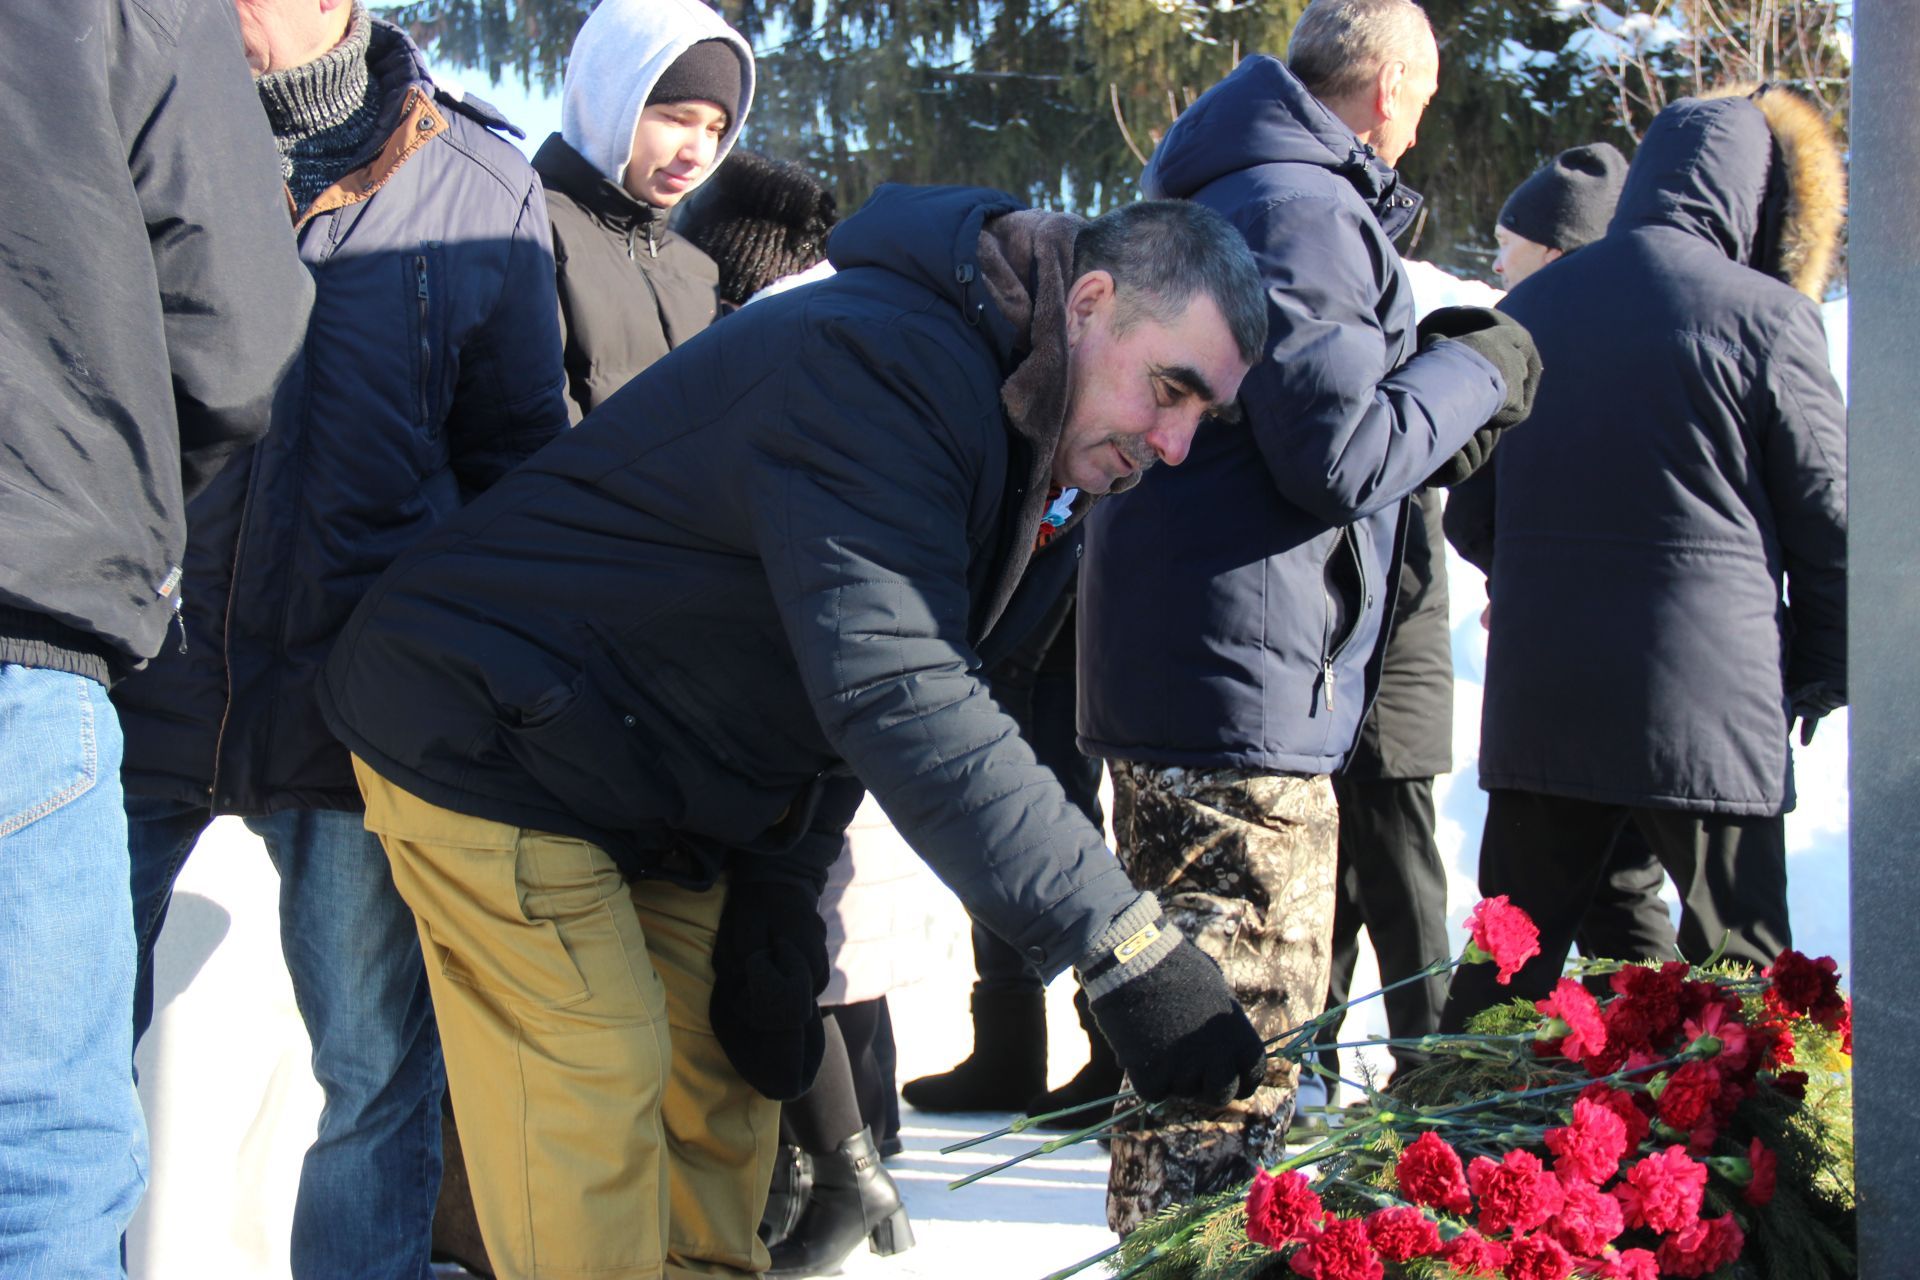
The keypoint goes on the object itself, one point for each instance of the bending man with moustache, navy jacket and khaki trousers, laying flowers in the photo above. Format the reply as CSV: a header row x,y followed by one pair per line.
x,y
613,719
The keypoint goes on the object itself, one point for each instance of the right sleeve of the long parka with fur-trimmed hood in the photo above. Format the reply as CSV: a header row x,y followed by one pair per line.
x,y
1804,450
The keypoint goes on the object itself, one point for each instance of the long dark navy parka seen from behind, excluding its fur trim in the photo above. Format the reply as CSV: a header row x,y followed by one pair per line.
x,y
1687,454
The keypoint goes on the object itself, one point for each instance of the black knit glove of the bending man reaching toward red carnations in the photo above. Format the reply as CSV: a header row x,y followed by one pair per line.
x,y
1166,1010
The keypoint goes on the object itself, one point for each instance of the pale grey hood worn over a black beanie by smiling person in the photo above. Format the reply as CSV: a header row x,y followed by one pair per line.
x,y
619,57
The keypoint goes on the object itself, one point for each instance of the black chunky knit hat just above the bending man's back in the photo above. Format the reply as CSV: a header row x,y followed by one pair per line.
x,y
759,220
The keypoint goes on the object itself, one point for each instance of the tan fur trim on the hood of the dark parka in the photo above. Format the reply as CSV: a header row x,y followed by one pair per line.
x,y
1815,183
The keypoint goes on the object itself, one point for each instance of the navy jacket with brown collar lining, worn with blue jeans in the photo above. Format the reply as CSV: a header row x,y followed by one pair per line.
x,y
431,369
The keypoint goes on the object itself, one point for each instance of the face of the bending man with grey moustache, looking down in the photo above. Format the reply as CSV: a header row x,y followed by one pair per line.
x,y
1136,398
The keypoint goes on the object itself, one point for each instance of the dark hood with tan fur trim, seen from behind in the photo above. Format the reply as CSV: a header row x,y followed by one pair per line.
x,y
1754,172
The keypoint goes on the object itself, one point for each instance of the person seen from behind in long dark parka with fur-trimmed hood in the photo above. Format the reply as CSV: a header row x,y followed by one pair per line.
x,y
1668,542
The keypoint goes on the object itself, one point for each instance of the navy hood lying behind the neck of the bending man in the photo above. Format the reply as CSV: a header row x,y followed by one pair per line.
x,y
930,235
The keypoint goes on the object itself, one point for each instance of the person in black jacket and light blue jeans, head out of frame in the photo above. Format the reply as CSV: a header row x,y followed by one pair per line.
x,y
149,304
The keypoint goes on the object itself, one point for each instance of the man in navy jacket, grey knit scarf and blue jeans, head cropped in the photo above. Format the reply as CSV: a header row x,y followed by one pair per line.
x,y
431,367
